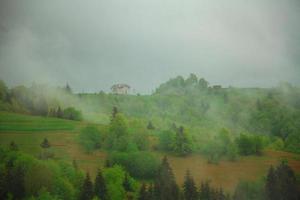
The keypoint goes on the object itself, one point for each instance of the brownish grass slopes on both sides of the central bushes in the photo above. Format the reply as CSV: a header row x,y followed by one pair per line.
x,y
225,174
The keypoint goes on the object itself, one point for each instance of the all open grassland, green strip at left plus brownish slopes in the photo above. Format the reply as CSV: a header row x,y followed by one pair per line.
x,y
28,132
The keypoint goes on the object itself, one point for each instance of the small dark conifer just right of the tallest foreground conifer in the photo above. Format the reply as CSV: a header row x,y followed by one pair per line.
x,y
189,188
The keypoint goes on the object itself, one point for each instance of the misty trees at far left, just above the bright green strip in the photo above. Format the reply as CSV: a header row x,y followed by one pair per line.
x,y
35,100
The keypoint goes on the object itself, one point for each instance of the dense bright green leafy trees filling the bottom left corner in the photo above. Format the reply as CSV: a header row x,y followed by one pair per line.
x,y
25,177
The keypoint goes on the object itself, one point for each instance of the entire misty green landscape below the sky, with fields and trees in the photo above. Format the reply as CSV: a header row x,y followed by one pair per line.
x,y
187,140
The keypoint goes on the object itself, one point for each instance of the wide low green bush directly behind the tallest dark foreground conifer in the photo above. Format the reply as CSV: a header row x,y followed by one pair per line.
x,y
139,164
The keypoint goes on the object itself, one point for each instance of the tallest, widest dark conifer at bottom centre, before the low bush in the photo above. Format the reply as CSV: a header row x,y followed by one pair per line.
x,y
165,185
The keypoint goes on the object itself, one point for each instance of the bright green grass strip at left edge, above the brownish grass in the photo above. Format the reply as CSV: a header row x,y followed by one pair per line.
x,y
27,123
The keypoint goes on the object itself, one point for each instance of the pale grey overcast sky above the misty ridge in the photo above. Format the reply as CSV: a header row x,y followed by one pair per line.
x,y
93,44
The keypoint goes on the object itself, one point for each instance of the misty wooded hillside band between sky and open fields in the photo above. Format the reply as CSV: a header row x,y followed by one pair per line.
x,y
191,102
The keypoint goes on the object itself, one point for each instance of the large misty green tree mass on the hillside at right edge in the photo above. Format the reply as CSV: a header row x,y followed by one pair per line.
x,y
278,115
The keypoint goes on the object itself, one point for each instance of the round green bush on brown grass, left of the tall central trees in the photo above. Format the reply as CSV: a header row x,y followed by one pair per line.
x,y
90,138
